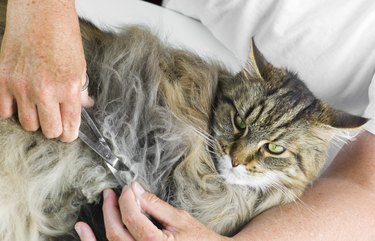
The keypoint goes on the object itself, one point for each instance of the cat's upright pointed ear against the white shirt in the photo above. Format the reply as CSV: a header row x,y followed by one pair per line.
x,y
257,65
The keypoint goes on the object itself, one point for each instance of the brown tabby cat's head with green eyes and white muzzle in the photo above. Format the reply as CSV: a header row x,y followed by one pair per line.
x,y
270,130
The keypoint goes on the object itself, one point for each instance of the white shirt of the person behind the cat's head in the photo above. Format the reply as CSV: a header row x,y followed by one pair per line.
x,y
330,43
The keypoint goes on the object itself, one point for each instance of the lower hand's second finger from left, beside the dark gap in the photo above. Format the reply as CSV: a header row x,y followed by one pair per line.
x,y
114,227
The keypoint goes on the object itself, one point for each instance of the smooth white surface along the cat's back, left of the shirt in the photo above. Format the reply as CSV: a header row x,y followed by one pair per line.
x,y
172,27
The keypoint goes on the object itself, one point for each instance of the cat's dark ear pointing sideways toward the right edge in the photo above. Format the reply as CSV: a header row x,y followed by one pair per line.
x,y
340,119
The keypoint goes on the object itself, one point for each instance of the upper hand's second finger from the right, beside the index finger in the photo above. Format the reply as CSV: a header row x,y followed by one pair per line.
x,y
50,119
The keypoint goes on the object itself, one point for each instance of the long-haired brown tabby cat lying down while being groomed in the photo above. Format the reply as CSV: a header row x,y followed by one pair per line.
x,y
223,146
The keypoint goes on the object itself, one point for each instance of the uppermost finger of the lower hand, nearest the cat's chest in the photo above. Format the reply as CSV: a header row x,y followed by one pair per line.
x,y
157,208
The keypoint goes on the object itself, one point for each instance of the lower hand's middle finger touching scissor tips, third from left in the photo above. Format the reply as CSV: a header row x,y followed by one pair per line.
x,y
140,227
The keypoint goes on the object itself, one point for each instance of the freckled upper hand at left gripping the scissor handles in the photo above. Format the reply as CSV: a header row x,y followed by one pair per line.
x,y
42,67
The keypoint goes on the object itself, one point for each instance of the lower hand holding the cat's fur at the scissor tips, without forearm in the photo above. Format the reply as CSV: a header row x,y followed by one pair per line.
x,y
130,211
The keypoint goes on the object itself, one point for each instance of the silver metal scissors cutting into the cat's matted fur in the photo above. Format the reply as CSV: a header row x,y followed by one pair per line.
x,y
92,137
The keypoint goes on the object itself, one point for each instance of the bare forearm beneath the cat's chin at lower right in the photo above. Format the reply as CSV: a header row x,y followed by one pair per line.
x,y
340,205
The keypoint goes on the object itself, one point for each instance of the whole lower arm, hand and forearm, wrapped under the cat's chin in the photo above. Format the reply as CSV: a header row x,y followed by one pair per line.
x,y
340,206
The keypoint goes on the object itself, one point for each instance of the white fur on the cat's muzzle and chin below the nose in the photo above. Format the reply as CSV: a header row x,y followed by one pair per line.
x,y
240,176
